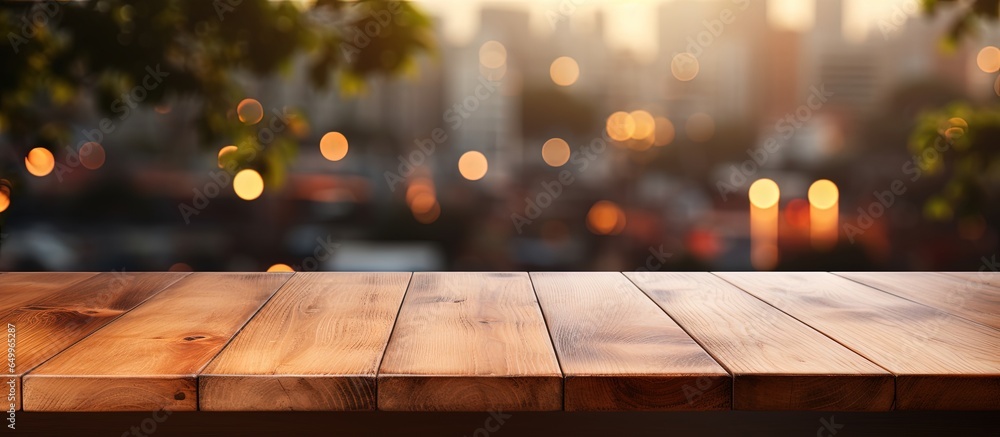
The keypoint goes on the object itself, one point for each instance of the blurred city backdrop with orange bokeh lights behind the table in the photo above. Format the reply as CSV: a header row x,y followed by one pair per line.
x,y
553,135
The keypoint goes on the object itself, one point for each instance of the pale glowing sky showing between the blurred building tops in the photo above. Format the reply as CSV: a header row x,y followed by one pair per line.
x,y
632,23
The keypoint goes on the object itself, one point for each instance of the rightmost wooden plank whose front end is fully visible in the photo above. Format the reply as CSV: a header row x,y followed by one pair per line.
x,y
777,362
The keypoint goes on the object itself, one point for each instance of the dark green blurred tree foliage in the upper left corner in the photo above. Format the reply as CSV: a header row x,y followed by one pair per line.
x,y
67,61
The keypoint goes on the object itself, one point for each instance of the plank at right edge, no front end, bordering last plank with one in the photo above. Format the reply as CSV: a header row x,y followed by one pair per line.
x,y
967,298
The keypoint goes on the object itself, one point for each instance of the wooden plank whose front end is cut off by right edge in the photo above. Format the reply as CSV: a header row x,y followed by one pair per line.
x,y
940,361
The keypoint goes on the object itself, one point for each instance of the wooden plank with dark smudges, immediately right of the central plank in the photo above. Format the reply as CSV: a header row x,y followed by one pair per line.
x,y
620,352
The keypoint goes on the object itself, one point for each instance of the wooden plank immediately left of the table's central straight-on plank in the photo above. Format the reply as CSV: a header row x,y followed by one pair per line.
x,y
315,346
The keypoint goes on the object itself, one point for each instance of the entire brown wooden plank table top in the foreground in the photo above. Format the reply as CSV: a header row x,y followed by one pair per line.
x,y
603,341
